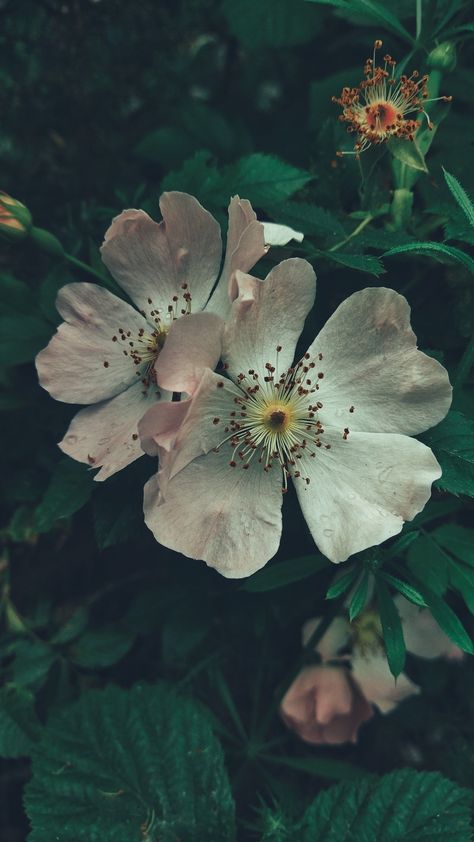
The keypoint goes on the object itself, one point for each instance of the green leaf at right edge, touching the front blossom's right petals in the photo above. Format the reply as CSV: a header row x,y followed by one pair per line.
x,y
452,442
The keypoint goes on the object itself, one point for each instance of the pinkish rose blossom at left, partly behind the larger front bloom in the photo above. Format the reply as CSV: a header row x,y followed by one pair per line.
x,y
108,354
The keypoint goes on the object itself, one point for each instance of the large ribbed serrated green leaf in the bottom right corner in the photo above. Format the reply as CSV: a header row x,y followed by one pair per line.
x,y
403,806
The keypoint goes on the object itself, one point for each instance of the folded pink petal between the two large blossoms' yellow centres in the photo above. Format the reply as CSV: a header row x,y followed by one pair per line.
x,y
193,344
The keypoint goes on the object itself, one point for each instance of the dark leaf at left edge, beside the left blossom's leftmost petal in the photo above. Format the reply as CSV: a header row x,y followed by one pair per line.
x,y
22,336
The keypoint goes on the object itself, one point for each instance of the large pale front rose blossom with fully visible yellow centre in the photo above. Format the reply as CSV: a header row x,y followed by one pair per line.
x,y
337,422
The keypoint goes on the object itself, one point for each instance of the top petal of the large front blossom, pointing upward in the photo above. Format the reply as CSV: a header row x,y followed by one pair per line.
x,y
268,315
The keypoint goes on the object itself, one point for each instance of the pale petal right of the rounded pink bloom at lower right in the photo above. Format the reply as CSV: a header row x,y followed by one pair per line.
x,y
371,672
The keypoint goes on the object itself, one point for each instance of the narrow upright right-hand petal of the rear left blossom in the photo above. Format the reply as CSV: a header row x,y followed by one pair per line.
x,y
245,246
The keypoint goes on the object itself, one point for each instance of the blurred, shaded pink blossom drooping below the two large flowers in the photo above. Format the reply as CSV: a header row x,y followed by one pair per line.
x,y
328,703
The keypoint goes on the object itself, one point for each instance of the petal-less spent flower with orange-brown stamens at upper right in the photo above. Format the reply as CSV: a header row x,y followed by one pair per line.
x,y
380,106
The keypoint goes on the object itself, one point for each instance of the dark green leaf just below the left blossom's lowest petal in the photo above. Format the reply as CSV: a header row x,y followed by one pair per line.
x,y
70,488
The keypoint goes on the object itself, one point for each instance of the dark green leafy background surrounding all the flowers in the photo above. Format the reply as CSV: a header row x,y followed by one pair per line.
x,y
135,706
